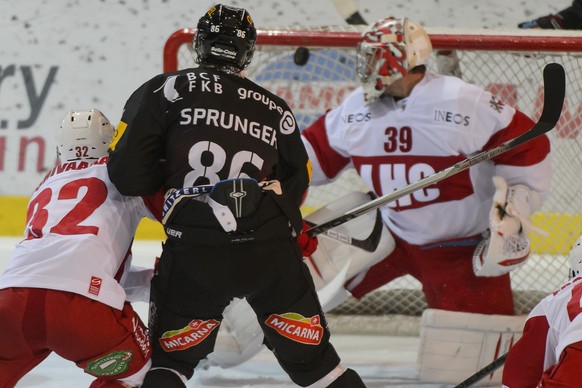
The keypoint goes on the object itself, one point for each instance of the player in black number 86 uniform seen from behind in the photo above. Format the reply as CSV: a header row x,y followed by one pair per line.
x,y
229,155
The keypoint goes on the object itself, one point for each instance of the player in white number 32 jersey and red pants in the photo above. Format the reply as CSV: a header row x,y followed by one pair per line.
x,y
63,289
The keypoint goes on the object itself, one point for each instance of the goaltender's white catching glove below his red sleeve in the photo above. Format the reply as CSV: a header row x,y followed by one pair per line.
x,y
507,245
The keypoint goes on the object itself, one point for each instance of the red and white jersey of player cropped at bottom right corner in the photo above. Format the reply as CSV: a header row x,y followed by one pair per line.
x,y
553,324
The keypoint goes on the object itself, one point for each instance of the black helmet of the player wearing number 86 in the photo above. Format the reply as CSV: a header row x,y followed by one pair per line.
x,y
225,36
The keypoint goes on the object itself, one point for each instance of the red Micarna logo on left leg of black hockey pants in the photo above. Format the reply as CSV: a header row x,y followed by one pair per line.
x,y
191,335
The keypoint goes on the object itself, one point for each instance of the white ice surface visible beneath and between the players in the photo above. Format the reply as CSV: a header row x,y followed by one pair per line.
x,y
382,361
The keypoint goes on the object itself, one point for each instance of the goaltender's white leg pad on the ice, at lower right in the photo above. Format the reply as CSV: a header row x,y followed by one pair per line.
x,y
455,345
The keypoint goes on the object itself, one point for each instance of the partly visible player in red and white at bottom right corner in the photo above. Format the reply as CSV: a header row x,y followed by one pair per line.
x,y
550,351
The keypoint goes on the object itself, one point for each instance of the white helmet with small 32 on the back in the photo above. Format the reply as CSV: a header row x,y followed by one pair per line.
x,y
83,135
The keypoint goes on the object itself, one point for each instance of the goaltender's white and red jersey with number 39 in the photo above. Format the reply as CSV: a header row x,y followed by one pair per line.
x,y
393,143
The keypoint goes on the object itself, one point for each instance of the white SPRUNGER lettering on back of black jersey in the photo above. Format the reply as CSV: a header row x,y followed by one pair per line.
x,y
219,119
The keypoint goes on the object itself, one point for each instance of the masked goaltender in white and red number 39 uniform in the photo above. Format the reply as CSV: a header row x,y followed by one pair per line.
x,y
460,237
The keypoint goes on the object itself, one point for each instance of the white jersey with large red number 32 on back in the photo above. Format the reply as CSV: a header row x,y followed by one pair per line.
x,y
79,230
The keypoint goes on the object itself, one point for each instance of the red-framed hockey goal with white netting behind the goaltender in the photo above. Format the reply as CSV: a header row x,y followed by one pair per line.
x,y
508,63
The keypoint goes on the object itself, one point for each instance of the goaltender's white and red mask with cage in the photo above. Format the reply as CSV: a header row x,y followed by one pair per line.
x,y
387,51
